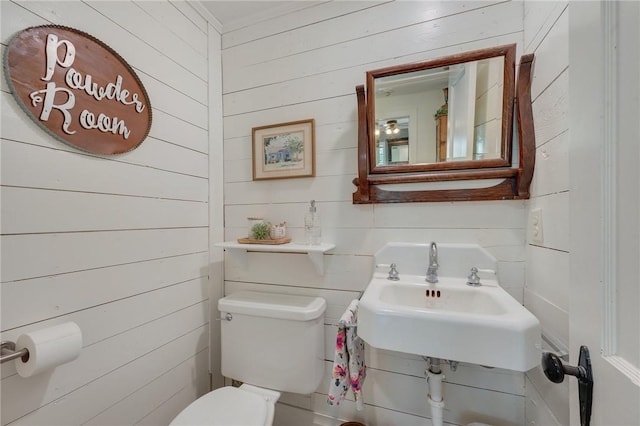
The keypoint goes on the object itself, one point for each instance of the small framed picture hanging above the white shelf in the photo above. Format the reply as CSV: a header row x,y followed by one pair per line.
x,y
285,150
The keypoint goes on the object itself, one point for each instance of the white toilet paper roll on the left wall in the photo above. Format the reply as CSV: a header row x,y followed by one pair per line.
x,y
49,348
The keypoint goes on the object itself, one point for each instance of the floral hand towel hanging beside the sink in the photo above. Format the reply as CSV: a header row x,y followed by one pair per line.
x,y
349,369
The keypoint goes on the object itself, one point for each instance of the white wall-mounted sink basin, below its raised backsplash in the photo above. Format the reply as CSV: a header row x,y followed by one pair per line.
x,y
482,325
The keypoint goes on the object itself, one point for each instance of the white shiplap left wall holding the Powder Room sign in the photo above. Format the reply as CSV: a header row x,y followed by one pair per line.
x,y
119,244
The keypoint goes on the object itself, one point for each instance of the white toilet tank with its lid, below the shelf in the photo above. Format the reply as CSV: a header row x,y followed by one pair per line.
x,y
273,340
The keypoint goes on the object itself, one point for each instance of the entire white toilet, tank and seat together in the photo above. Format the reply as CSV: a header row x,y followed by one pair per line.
x,y
271,342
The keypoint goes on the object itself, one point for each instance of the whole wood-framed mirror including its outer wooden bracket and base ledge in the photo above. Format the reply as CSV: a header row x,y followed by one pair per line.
x,y
442,130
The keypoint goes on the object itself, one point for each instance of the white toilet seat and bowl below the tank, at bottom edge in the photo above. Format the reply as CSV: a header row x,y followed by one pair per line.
x,y
227,406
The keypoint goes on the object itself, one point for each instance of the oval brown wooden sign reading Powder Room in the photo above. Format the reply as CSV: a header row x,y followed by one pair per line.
x,y
78,89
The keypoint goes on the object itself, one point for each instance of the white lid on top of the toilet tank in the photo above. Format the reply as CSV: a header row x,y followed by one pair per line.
x,y
273,305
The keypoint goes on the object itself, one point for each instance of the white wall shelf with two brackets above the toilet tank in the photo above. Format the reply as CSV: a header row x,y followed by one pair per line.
x,y
315,253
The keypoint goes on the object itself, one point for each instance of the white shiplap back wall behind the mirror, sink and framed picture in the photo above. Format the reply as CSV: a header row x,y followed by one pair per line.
x,y
306,64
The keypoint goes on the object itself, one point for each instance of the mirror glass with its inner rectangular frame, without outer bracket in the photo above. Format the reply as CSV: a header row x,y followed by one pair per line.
x,y
445,114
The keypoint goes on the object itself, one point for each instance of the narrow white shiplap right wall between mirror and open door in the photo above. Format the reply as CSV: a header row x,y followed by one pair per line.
x,y
546,33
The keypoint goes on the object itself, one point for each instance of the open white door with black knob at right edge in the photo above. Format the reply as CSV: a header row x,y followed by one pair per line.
x,y
604,128
